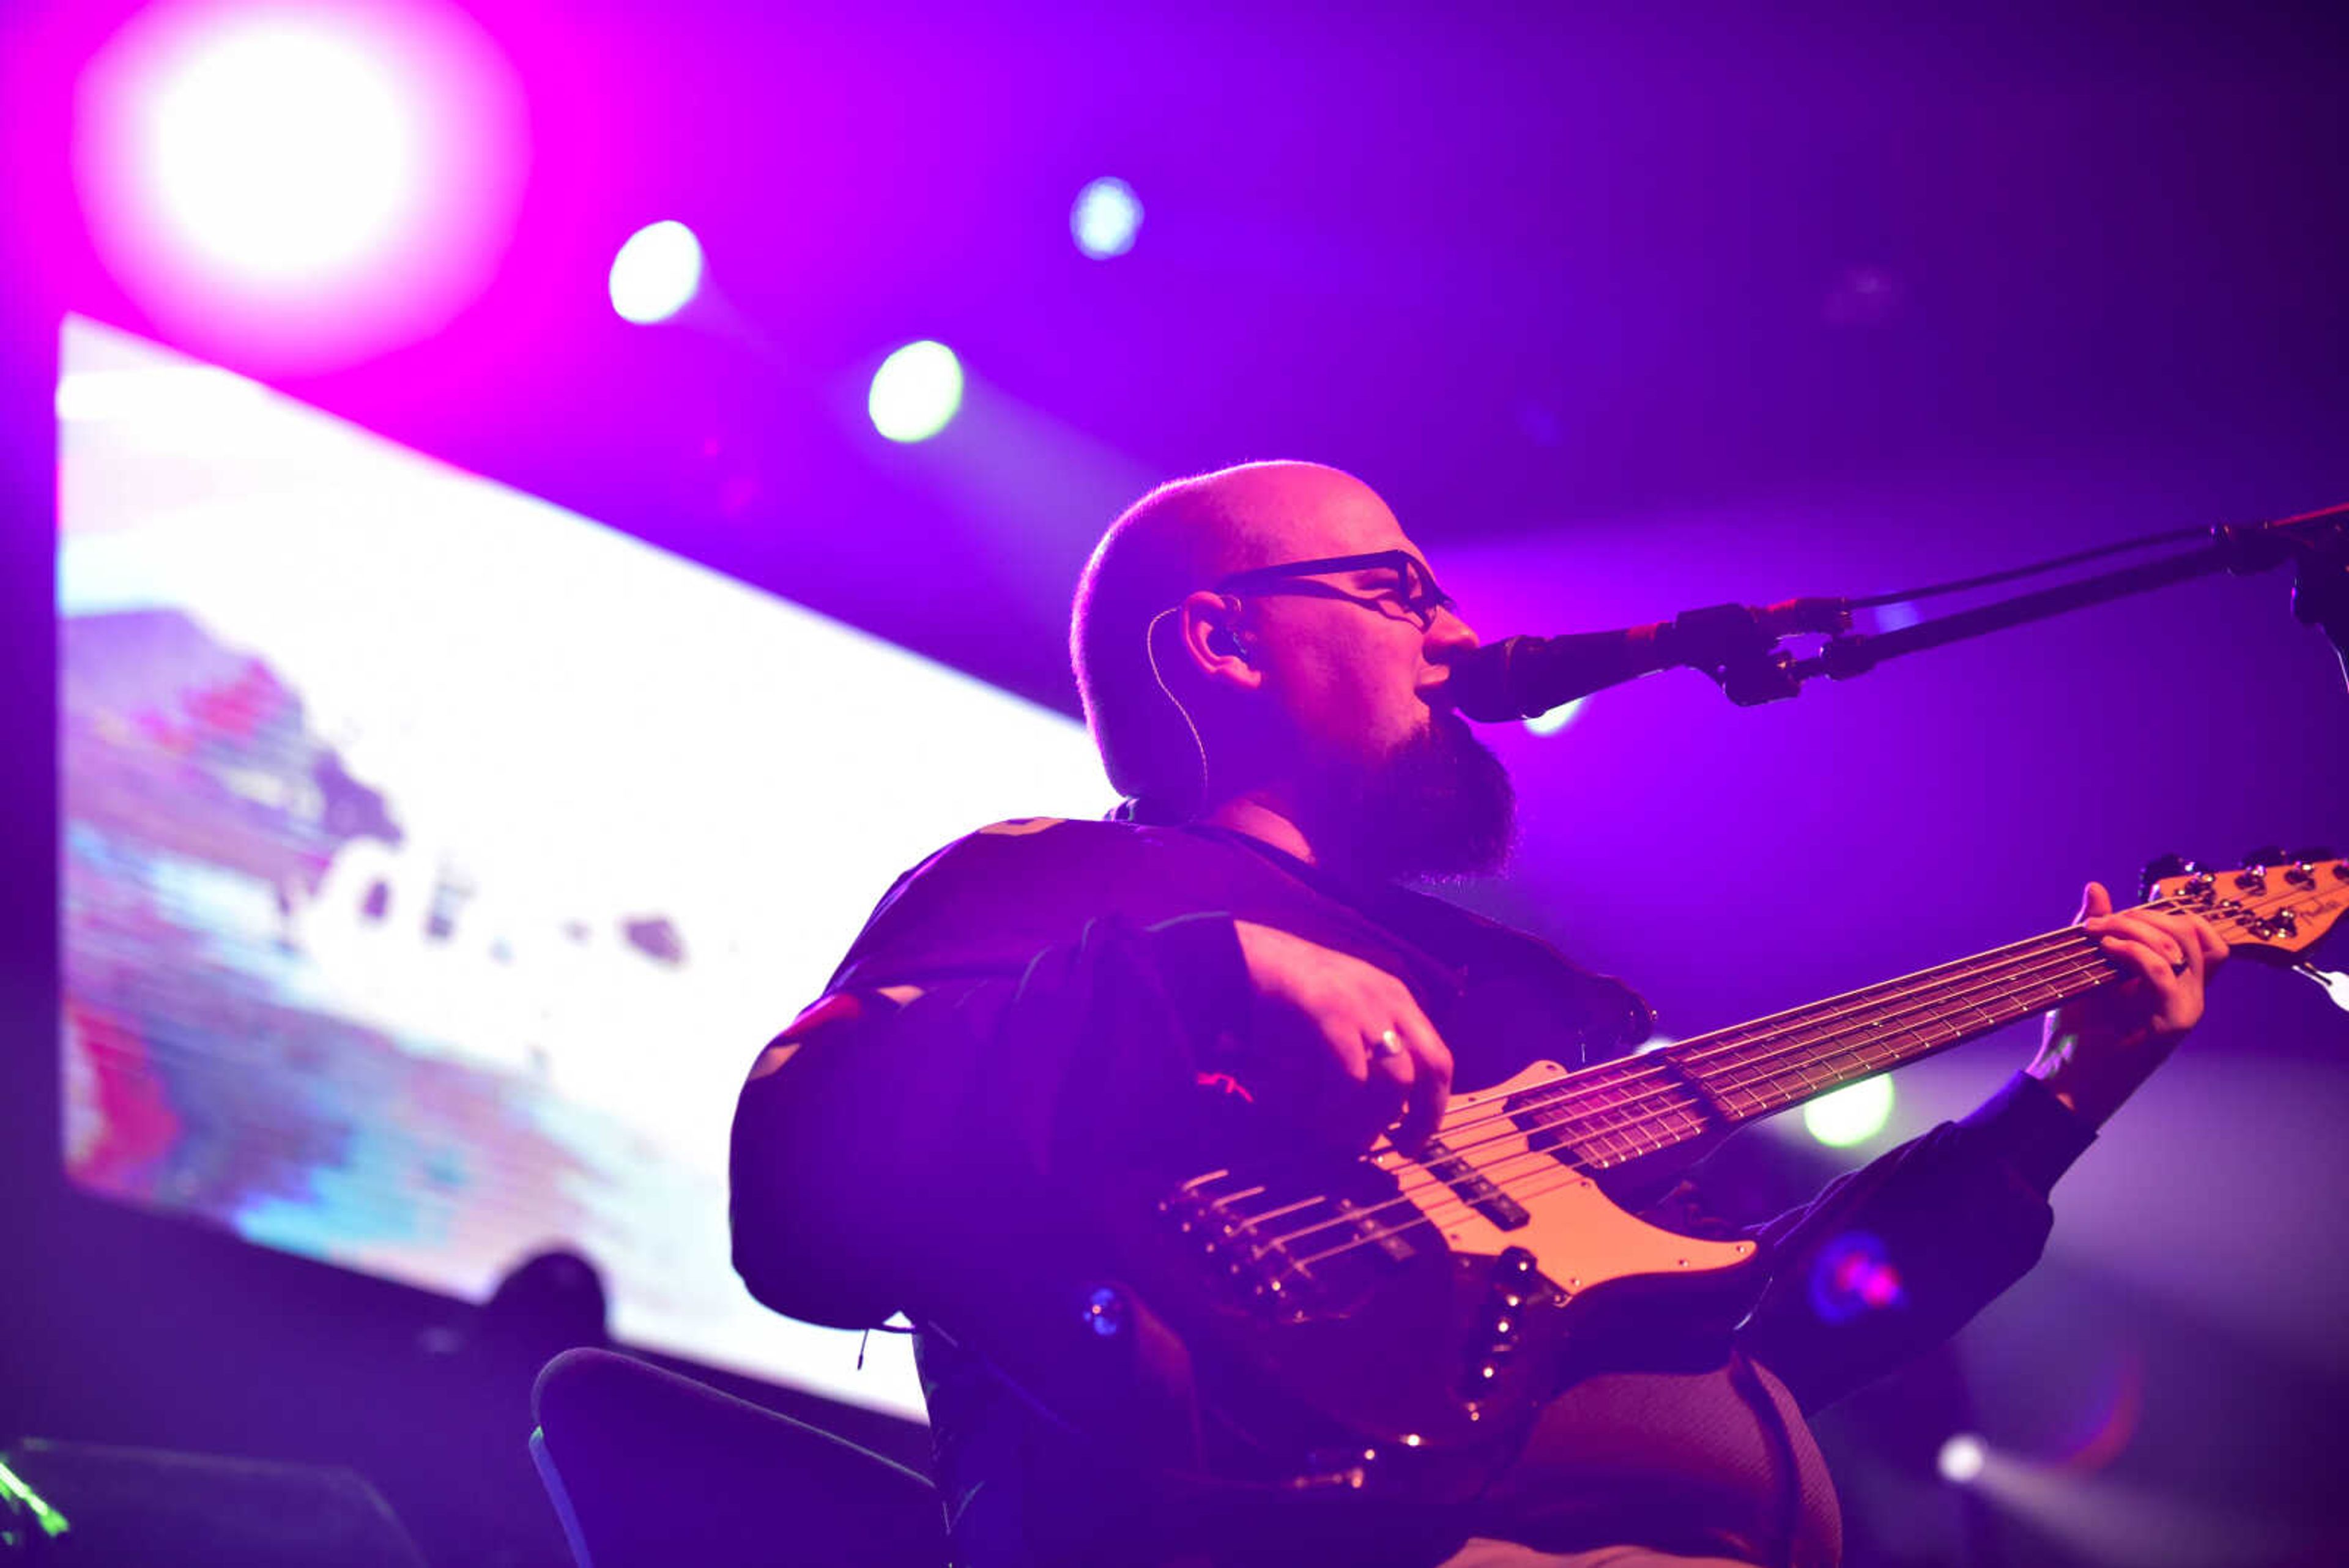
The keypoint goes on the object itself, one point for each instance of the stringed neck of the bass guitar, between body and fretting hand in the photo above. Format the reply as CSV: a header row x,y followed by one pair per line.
x,y
1624,1111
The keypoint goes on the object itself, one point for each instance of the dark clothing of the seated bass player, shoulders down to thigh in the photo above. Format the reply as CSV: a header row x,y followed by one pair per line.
x,y
1049,1019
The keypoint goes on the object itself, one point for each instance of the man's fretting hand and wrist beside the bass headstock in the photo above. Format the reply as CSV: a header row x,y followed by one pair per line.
x,y
2101,1047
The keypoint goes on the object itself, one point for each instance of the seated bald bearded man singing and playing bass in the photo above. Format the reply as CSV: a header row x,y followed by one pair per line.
x,y
1051,1024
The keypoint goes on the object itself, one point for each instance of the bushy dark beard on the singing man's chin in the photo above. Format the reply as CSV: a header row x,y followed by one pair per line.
x,y
1436,808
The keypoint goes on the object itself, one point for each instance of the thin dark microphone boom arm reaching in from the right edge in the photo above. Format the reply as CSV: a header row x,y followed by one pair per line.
x,y
2315,542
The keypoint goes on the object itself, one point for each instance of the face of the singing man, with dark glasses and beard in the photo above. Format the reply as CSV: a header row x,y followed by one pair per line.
x,y
1359,690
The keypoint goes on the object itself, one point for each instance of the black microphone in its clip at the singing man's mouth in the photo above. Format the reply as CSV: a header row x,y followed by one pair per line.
x,y
1732,643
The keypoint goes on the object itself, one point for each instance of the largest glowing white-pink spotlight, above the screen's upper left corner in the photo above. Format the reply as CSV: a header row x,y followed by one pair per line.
x,y
299,187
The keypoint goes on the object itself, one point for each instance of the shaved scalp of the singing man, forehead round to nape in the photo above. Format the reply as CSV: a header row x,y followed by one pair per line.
x,y
1180,537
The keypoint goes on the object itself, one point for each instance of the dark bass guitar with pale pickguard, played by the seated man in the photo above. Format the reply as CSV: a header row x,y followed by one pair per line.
x,y
1493,1252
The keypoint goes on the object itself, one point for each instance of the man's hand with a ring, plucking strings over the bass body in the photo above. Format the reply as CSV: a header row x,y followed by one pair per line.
x,y
1326,1017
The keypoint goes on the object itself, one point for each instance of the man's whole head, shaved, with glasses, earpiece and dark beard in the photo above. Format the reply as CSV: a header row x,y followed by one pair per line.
x,y
1310,706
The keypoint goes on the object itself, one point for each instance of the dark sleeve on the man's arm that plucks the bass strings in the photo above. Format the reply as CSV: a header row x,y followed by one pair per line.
x,y
917,1151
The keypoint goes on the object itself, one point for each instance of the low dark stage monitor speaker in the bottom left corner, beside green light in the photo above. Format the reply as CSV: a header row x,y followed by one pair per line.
x,y
149,1508
